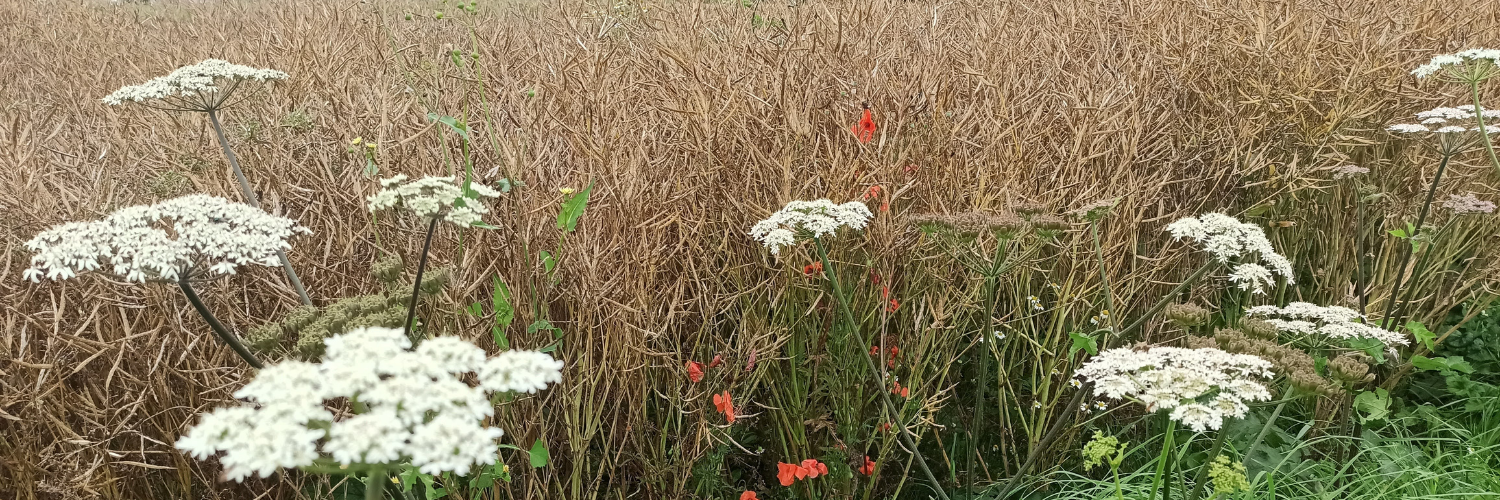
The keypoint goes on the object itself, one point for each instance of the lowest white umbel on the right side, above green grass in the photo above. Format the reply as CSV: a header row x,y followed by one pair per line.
x,y
1201,387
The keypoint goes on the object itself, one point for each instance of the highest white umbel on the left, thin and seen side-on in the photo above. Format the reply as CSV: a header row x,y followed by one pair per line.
x,y
199,88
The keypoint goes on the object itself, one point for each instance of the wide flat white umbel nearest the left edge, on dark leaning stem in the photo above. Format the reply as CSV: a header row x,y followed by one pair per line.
x,y
182,238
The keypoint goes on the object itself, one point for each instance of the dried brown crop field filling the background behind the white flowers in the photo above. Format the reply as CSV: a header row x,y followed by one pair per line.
x,y
694,121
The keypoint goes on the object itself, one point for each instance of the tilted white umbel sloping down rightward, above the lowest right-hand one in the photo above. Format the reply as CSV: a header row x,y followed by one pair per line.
x,y
1226,238
